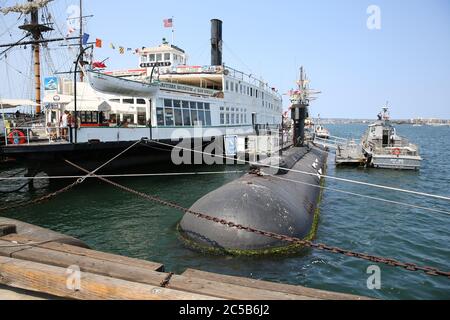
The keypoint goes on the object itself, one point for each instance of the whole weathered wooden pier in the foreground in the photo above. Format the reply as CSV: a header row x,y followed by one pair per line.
x,y
33,269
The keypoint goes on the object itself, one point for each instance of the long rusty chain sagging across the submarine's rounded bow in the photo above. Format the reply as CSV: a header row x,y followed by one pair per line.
x,y
306,243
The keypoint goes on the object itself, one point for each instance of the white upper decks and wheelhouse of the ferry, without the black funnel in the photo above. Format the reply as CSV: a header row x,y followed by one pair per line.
x,y
177,95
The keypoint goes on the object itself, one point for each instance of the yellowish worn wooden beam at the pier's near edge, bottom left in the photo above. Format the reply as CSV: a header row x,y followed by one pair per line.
x,y
52,280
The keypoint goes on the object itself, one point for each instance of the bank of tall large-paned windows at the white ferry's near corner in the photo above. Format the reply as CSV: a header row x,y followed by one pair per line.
x,y
183,113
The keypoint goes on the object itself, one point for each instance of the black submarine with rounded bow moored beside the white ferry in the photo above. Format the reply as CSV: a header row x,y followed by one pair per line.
x,y
283,202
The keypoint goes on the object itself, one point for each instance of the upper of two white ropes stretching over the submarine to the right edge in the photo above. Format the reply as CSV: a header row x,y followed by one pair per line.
x,y
315,175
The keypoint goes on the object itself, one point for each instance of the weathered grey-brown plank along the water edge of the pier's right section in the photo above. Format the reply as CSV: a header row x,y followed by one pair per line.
x,y
271,286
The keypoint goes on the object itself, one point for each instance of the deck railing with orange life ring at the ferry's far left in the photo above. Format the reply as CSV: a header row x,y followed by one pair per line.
x,y
29,136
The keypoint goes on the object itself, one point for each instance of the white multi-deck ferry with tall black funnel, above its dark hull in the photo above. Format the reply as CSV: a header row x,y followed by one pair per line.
x,y
164,100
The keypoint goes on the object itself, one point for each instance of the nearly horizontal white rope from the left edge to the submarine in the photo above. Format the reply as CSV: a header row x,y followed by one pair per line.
x,y
137,175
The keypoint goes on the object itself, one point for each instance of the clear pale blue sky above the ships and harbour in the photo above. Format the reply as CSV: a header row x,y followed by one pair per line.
x,y
406,62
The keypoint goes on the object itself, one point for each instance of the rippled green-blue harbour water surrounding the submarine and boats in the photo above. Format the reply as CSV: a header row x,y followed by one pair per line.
x,y
110,220
